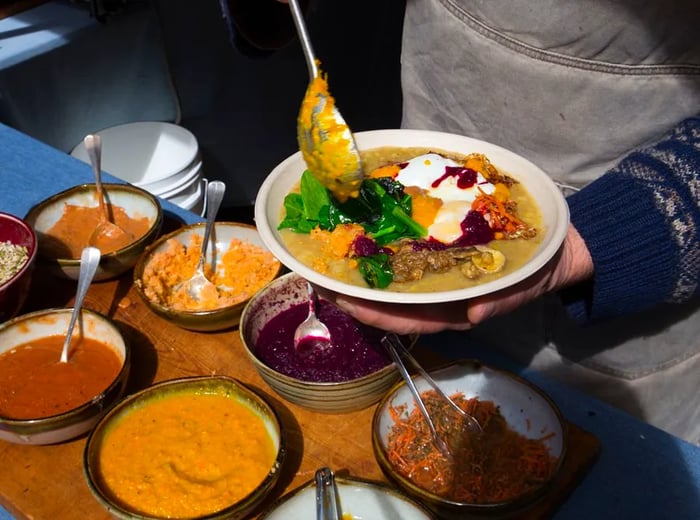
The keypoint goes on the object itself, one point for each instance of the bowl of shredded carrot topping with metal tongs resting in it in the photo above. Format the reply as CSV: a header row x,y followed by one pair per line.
x,y
497,473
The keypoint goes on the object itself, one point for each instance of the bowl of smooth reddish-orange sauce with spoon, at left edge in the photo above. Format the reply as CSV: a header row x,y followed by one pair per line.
x,y
45,401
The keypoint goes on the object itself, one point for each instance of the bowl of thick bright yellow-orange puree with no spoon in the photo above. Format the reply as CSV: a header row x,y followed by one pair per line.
x,y
197,447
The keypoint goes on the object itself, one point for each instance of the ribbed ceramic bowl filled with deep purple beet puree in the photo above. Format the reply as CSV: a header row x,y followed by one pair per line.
x,y
352,374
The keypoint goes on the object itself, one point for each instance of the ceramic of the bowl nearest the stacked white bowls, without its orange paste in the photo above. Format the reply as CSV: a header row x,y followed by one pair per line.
x,y
136,202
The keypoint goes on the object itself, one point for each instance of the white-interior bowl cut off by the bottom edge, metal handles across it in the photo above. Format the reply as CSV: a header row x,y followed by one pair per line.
x,y
359,499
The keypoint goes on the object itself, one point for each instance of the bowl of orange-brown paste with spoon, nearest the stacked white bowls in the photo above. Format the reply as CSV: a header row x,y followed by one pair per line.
x,y
65,222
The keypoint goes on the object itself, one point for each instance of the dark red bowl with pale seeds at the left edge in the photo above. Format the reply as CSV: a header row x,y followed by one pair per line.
x,y
18,247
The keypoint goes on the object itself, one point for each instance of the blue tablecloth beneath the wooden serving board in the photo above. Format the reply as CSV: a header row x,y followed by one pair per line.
x,y
642,472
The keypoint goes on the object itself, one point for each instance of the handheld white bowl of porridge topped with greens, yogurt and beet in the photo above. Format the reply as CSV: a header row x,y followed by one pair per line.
x,y
439,217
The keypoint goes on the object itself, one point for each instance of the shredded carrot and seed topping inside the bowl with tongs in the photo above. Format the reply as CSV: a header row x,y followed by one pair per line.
x,y
495,466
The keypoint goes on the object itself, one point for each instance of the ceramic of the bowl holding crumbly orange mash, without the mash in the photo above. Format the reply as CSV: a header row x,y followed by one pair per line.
x,y
209,320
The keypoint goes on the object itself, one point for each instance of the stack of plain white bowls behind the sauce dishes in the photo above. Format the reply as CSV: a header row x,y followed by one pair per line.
x,y
162,158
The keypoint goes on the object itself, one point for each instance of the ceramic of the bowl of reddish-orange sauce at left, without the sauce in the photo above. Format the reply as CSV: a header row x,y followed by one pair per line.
x,y
75,422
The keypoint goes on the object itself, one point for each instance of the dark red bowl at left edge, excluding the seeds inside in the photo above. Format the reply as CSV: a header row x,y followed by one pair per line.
x,y
14,290
